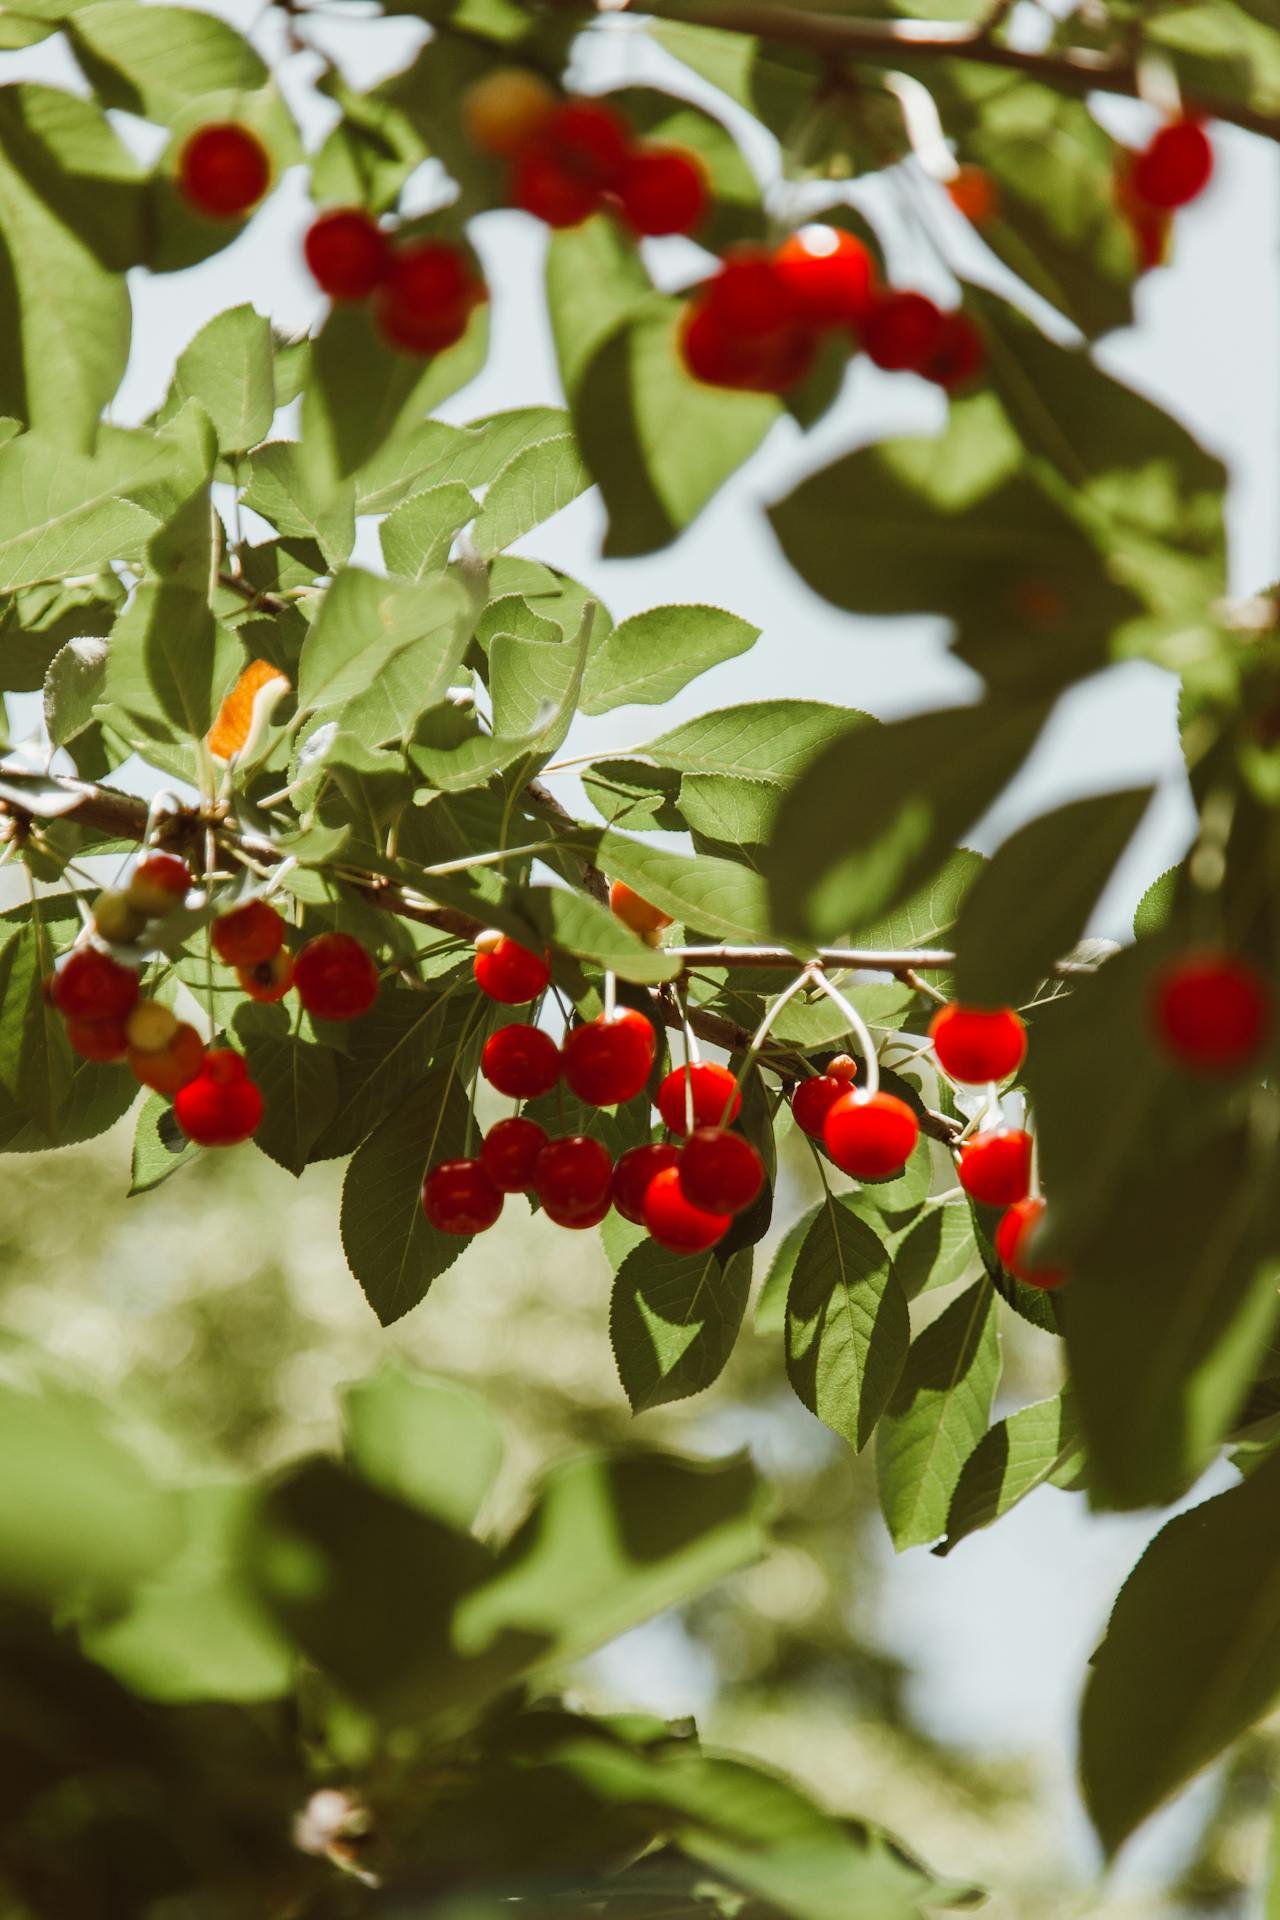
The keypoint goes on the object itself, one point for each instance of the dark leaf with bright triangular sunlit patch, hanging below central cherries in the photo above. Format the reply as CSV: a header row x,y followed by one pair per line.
x,y
675,1320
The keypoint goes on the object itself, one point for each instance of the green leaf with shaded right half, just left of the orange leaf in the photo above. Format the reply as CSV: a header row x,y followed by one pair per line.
x,y
170,663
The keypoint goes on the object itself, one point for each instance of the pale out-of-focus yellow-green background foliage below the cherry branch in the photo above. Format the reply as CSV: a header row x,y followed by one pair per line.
x,y
220,1324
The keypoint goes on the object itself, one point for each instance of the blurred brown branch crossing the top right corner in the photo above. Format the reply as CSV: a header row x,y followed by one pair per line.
x,y
1078,70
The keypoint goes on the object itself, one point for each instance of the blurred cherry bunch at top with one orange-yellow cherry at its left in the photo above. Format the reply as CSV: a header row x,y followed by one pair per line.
x,y
575,158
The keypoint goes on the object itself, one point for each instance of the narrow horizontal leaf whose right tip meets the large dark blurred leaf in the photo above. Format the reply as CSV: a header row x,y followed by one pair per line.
x,y
763,740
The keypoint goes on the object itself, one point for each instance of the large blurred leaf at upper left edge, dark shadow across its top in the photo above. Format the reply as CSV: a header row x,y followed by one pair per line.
x,y
68,228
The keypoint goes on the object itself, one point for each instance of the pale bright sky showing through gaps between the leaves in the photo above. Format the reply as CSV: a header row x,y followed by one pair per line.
x,y
1001,1631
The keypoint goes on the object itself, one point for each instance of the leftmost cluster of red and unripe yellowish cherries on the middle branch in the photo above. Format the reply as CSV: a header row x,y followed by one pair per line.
x,y
107,1017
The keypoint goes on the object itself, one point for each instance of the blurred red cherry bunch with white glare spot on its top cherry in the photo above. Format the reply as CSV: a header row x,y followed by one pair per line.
x,y
757,325
